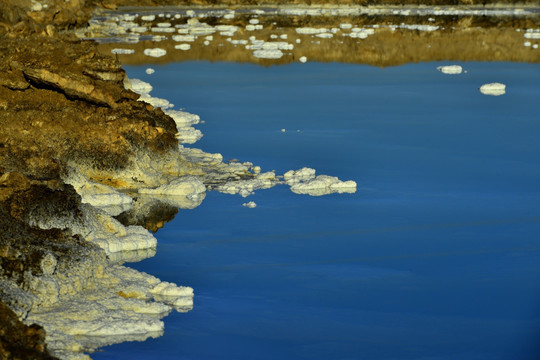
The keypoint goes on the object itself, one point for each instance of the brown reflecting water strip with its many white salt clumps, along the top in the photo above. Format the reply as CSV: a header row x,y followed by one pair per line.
x,y
375,36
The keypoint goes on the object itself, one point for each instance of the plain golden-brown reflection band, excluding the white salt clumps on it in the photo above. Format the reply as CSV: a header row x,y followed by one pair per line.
x,y
457,38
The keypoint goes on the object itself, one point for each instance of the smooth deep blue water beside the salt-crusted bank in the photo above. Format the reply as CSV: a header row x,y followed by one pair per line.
x,y
436,256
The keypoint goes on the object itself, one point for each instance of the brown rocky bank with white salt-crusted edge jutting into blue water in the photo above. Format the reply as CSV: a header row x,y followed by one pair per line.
x,y
76,149
